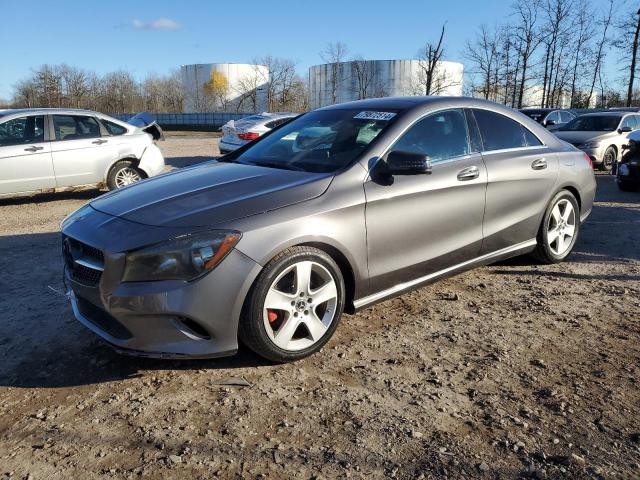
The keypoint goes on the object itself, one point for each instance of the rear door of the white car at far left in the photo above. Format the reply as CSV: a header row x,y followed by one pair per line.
x,y
81,154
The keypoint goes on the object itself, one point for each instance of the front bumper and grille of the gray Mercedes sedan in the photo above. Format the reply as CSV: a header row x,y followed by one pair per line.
x,y
160,319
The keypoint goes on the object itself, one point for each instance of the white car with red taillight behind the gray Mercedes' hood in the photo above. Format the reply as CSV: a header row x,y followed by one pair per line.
x,y
235,134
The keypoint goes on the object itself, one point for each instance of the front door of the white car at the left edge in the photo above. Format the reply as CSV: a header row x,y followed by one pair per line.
x,y
25,155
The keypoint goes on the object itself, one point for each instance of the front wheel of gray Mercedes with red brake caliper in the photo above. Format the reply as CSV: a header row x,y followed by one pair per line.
x,y
284,333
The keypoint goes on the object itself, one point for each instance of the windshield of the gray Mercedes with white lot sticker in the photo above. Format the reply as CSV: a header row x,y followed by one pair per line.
x,y
322,141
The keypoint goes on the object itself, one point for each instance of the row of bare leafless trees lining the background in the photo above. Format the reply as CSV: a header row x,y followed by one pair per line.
x,y
546,53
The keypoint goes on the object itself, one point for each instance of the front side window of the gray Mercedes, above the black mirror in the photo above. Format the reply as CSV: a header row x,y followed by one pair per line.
x,y
441,135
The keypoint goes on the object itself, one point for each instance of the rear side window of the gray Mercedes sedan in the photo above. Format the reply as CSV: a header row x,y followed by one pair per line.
x,y
500,132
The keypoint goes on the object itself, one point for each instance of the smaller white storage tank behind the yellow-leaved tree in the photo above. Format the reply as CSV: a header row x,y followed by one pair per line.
x,y
210,87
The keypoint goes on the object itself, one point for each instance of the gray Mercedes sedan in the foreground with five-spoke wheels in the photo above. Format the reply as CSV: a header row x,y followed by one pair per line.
x,y
338,209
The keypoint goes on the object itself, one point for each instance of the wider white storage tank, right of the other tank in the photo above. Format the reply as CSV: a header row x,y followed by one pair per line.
x,y
345,81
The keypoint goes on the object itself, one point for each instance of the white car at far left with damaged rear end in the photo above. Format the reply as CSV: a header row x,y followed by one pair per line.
x,y
42,149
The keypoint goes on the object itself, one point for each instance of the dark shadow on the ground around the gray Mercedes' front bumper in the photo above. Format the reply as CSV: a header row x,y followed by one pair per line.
x,y
42,345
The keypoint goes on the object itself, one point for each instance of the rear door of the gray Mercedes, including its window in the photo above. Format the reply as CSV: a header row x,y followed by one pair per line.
x,y
521,176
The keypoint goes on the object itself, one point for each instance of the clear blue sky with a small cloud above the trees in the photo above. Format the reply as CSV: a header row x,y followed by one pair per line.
x,y
157,36
